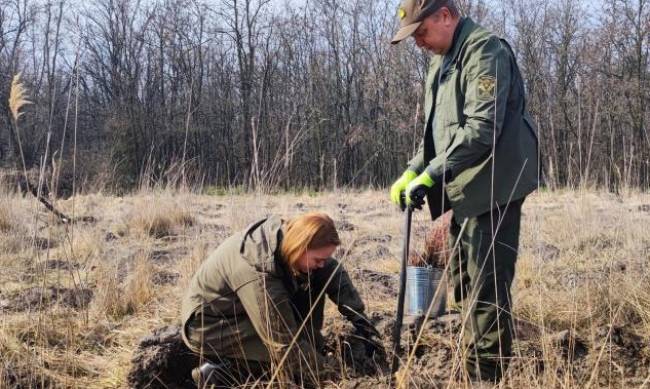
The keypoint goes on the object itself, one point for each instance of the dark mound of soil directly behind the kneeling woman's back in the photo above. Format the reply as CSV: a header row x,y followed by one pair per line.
x,y
162,361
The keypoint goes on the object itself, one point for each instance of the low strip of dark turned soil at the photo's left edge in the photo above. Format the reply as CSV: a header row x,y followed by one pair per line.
x,y
34,297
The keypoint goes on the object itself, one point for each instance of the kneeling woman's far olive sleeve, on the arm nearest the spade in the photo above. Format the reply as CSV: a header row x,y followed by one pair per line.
x,y
342,292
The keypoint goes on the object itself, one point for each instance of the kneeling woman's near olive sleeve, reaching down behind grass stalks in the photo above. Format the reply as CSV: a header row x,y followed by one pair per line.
x,y
266,302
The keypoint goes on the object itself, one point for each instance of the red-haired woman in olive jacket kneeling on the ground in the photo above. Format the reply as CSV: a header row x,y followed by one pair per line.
x,y
248,300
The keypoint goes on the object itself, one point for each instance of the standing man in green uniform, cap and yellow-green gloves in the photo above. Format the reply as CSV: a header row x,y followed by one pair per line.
x,y
479,157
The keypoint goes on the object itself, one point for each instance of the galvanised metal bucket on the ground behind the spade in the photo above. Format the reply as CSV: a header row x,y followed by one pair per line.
x,y
421,285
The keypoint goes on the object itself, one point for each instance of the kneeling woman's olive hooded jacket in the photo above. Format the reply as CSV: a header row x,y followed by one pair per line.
x,y
245,283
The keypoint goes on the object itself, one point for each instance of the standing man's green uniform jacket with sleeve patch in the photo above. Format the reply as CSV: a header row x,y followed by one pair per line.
x,y
479,138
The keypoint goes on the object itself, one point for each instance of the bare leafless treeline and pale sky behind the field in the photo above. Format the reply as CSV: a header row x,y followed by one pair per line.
x,y
269,94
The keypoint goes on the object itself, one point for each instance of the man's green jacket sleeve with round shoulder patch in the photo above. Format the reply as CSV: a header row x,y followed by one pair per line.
x,y
485,82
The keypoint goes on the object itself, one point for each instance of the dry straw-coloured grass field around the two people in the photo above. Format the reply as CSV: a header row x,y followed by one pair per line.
x,y
76,300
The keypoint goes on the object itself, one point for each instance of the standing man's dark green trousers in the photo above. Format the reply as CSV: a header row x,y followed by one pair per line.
x,y
481,270
